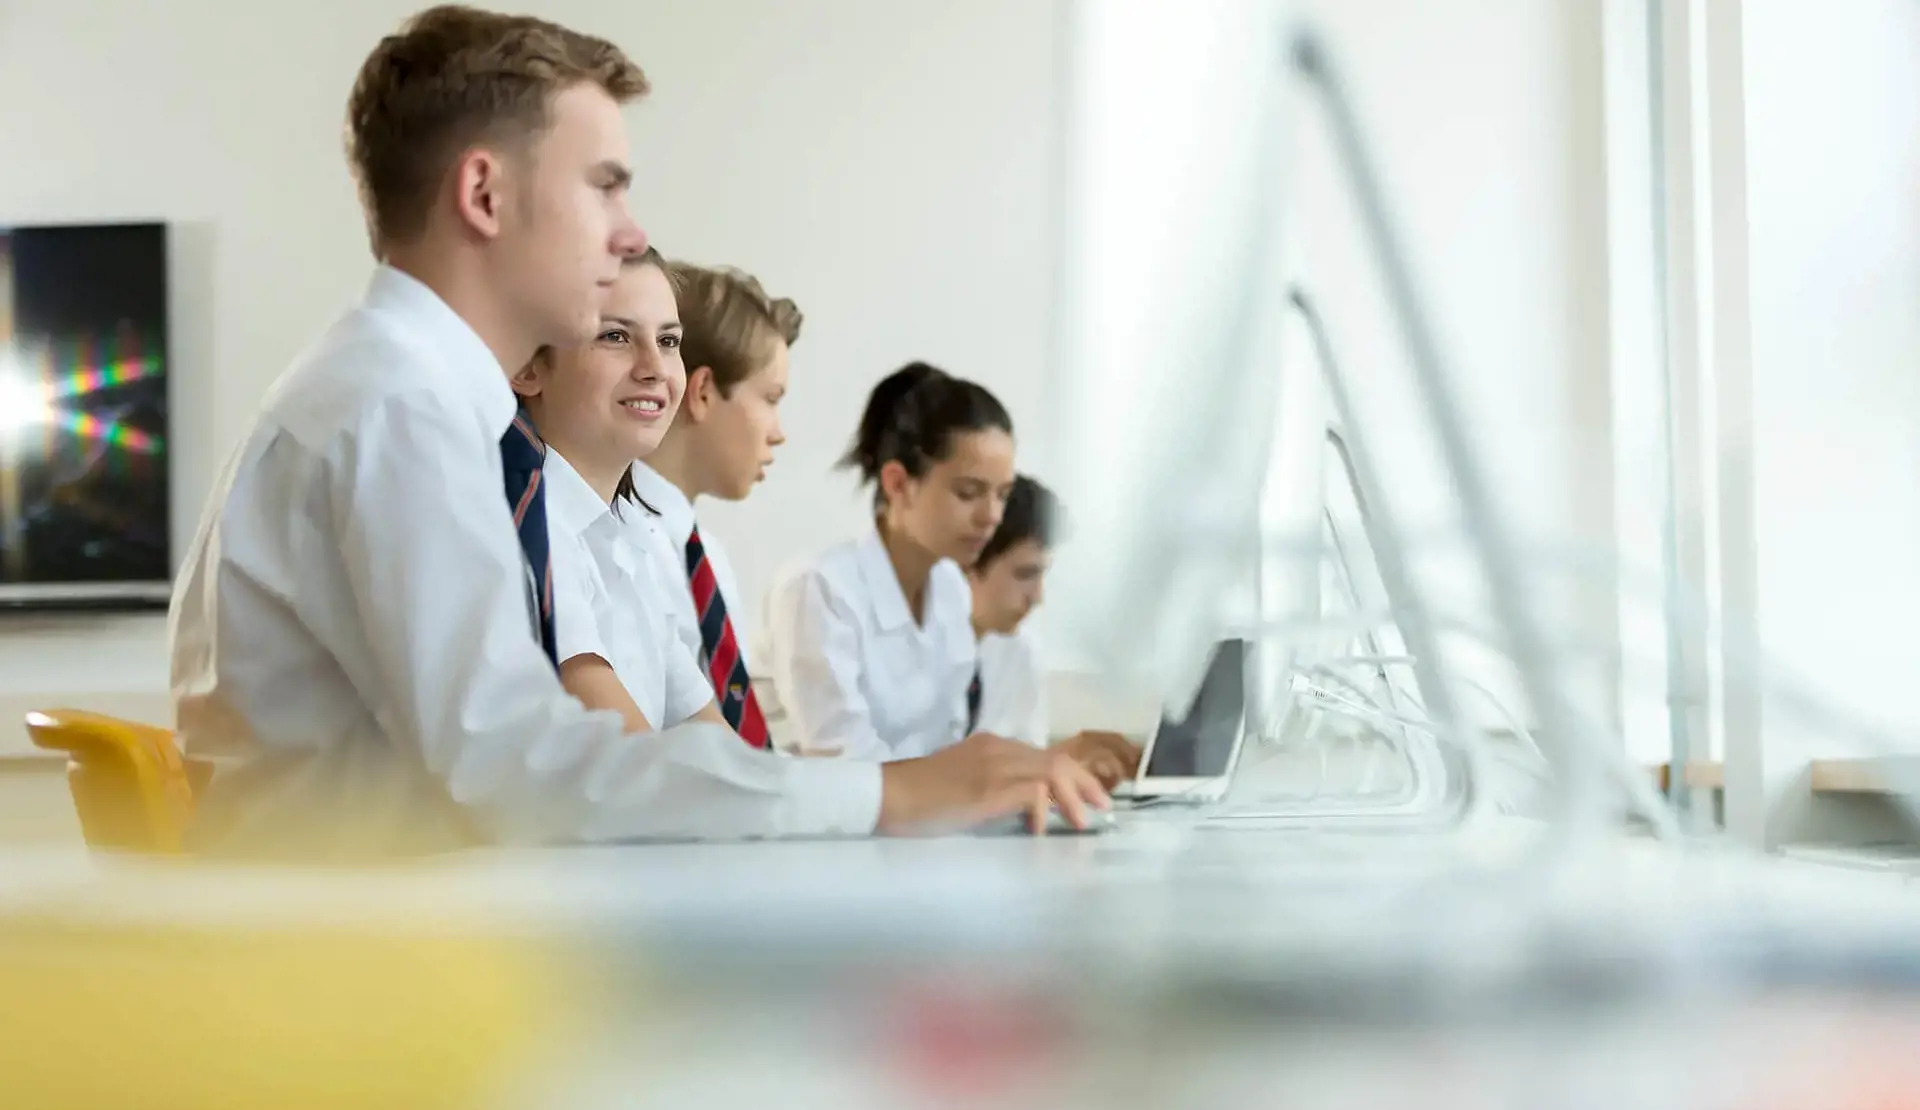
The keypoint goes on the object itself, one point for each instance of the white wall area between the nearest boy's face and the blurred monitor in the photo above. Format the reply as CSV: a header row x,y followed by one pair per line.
x,y
894,170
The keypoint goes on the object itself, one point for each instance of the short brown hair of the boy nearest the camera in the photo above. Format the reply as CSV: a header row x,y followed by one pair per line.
x,y
452,78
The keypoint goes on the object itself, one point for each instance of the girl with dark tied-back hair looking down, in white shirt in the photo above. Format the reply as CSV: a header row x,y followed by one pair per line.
x,y
873,640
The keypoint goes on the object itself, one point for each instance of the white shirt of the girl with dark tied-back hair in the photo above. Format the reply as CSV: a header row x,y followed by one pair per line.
x,y
850,665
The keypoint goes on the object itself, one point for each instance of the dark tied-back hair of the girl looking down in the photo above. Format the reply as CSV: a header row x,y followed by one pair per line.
x,y
913,418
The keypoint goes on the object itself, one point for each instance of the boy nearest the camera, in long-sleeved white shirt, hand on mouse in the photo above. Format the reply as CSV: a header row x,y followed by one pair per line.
x,y
358,625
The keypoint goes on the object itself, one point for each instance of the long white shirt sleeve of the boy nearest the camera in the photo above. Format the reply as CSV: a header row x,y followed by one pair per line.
x,y
464,681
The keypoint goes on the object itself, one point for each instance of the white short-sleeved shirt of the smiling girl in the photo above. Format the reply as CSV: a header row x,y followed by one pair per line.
x,y
608,600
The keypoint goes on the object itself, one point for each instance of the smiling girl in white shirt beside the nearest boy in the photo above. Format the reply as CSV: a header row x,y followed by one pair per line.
x,y
600,408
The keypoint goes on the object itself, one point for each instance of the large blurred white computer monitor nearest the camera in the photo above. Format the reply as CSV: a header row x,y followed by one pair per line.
x,y
1174,322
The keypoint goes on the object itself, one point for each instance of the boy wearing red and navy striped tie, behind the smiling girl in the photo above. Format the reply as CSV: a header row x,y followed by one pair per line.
x,y
734,347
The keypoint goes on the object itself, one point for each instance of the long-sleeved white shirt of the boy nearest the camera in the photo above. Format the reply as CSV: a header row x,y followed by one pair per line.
x,y
354,625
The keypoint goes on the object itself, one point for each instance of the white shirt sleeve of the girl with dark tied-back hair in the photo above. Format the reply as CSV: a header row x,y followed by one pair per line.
x,y
815,662
